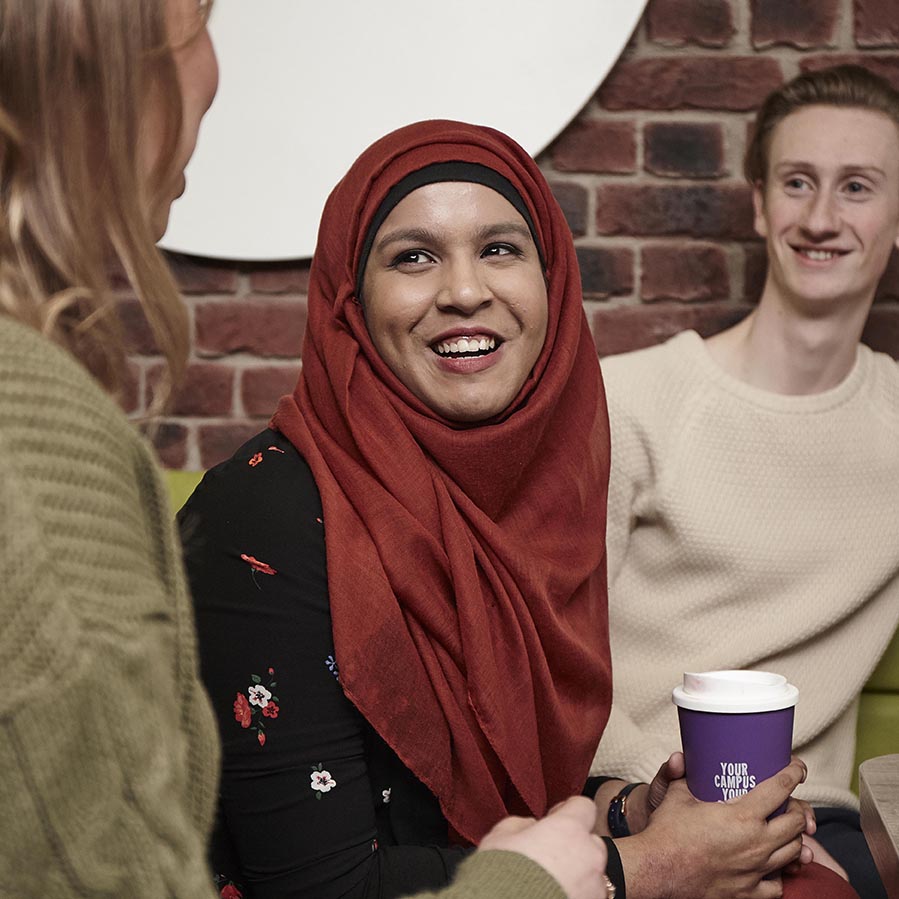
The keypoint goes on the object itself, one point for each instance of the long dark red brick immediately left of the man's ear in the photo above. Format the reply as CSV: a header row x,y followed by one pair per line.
x,y
695,210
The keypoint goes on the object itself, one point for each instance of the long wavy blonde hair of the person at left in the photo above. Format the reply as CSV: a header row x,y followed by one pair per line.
x,y
75,76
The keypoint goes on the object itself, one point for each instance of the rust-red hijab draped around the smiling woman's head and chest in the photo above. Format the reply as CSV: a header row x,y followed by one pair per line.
x,y
466,565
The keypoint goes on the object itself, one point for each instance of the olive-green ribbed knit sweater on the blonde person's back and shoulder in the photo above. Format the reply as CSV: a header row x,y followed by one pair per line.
x,y
108,747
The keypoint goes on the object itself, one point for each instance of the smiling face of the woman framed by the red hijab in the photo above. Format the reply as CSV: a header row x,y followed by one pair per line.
x,y
455,299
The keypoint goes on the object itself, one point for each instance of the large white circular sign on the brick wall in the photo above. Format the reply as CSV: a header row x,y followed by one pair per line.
x,y
306,86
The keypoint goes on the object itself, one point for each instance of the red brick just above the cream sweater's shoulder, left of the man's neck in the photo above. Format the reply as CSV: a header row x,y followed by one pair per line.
x,y
623,328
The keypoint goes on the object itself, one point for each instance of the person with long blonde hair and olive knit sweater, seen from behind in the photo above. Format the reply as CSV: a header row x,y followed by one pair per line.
x,y
107,744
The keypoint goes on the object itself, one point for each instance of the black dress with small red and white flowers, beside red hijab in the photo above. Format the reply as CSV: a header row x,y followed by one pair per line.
x,y
313,803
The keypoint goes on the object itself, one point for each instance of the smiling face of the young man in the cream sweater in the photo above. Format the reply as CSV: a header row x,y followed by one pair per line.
x,y
829,210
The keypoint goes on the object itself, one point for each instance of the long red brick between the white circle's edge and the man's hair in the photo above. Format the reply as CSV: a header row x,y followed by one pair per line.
x,y
731,83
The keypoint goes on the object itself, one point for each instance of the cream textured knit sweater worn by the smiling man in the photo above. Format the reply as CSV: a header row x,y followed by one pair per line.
x,y
748,529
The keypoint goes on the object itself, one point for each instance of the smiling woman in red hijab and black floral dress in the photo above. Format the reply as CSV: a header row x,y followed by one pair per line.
x,y
403,626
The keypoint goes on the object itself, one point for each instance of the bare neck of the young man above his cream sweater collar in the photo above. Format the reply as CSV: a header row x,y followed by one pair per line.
x,y
779,349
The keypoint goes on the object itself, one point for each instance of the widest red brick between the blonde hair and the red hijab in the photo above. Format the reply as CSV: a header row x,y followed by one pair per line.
x,y
265,327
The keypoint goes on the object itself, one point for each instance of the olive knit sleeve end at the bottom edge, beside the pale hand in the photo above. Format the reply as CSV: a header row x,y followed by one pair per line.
x,y
497,874
